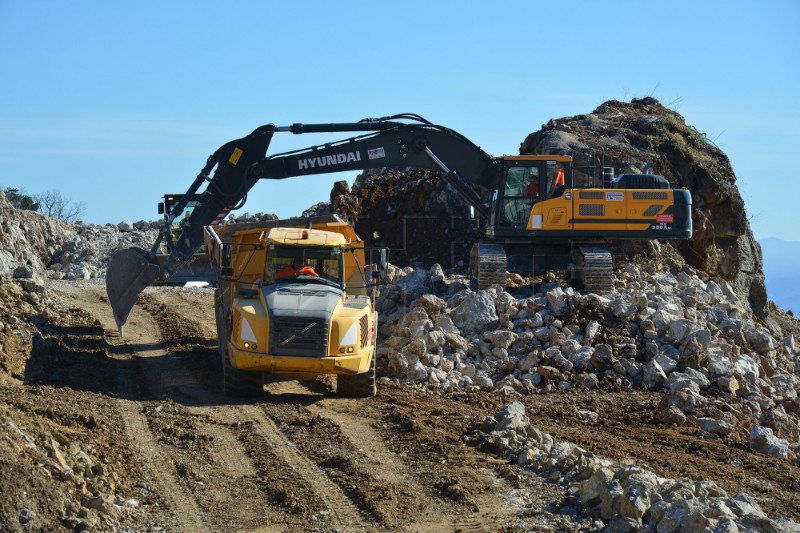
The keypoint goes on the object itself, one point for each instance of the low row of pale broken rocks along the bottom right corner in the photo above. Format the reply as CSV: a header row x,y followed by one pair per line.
x,y
624,497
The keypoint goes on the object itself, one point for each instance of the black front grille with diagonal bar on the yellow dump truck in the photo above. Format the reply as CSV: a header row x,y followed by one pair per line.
x,y
298,337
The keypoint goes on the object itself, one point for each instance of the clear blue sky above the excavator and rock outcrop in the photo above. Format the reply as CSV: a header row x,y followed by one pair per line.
x,y
116,103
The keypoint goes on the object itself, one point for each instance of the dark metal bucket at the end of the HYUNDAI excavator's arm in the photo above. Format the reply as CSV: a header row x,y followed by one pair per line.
x,y
129,273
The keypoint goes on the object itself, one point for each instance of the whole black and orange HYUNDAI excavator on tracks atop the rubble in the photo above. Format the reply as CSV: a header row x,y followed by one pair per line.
x,y
531,209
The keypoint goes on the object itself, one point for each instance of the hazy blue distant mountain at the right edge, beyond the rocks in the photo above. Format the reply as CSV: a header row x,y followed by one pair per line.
x,y
781,260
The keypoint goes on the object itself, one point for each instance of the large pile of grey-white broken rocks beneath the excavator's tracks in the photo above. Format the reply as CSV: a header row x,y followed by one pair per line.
x,y
673,332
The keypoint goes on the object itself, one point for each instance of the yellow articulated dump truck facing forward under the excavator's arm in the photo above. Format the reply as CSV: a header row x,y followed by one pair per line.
x,y
295,299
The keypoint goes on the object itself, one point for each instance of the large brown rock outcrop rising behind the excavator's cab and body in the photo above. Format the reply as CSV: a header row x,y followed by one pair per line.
x,y
633,135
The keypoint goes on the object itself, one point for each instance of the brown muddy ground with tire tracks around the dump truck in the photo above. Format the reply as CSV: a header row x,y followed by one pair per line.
x,y
179,456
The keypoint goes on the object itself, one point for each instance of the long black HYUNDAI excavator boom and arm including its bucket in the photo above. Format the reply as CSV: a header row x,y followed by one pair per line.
x,y
243,162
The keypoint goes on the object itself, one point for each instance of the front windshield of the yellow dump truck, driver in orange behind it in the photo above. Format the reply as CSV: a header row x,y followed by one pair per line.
x,y
290,263
